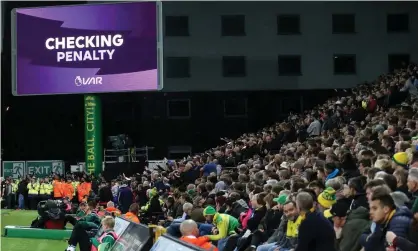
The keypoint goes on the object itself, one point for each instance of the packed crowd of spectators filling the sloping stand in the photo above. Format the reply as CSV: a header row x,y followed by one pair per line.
x,y
342,176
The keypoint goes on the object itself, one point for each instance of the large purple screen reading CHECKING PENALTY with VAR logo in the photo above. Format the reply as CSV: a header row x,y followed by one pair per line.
x,y
96,48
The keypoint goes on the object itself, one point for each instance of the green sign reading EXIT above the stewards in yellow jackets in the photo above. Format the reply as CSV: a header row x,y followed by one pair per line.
x,y
44,168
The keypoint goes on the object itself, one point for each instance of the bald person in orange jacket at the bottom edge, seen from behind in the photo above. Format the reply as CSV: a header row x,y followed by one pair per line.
x,y
190,234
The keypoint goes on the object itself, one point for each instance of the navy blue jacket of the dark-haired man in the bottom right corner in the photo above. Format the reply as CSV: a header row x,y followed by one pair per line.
x,y
399,224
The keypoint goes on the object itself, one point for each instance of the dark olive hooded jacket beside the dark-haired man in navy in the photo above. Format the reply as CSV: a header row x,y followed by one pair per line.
x,y
357,222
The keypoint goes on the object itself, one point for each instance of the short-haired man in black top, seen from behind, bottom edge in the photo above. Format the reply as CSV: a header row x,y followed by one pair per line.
x,y
309,240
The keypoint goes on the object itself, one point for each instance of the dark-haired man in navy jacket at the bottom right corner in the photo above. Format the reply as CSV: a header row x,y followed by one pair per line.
x,y
387,217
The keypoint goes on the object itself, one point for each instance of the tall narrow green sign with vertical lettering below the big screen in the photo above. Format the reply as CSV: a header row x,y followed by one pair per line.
x,y
93,134
